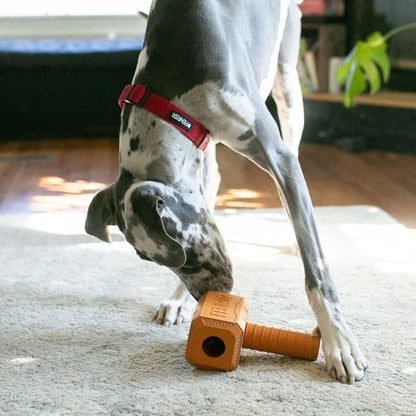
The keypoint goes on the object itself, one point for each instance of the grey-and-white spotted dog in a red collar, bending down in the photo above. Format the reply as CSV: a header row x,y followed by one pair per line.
x,y
204,72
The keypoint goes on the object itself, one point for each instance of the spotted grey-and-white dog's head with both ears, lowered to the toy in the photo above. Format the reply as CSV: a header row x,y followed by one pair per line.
x,y
166,227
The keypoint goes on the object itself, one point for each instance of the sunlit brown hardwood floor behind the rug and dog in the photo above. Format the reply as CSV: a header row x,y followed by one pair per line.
x,y
62,176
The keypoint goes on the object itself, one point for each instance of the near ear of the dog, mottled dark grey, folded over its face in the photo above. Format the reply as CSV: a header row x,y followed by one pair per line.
x,y
163,249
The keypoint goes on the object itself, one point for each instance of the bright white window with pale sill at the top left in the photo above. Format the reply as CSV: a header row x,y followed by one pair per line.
x,y
69,19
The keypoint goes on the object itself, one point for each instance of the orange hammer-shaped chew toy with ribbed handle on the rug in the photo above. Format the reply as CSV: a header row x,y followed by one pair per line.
x,y
220,329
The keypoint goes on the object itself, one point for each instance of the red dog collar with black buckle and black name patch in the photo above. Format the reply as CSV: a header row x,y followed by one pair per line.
x,y
143,97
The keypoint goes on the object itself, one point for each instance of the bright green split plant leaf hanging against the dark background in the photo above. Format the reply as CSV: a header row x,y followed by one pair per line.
x,y
364,63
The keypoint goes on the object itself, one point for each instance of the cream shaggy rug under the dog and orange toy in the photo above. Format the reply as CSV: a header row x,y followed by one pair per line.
x,y
76,336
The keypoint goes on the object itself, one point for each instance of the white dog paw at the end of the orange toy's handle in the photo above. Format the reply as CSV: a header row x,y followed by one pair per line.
x,y
344,360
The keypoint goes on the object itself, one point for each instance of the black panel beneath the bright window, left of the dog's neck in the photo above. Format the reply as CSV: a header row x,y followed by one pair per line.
x,y
62,95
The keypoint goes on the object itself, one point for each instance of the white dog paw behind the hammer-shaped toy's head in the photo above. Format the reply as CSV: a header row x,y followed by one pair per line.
x,y
176,310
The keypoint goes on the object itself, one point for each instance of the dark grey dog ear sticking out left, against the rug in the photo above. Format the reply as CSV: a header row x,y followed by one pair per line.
x,y
101,214
